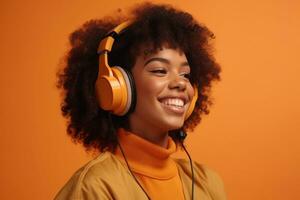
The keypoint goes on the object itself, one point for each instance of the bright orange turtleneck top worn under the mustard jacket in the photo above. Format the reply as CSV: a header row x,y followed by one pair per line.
x,y
152,166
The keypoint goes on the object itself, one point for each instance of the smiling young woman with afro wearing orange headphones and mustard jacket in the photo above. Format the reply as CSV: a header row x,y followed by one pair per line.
x,y
132,87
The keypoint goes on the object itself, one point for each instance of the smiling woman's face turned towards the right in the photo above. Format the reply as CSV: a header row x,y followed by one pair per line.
x,y
163,92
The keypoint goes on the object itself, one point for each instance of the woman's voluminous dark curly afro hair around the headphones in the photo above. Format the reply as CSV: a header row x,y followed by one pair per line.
x,y
153,25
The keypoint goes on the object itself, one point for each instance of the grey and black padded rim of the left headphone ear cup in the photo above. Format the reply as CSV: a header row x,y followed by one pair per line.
x,y
128,91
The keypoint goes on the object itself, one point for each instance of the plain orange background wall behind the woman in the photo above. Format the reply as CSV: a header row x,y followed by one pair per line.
x,y
251,137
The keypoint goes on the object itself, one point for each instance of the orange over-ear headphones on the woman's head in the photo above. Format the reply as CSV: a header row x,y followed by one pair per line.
x,y
115,89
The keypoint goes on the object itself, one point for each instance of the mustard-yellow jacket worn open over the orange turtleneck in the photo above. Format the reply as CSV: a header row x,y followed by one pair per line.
x,y
93,182
